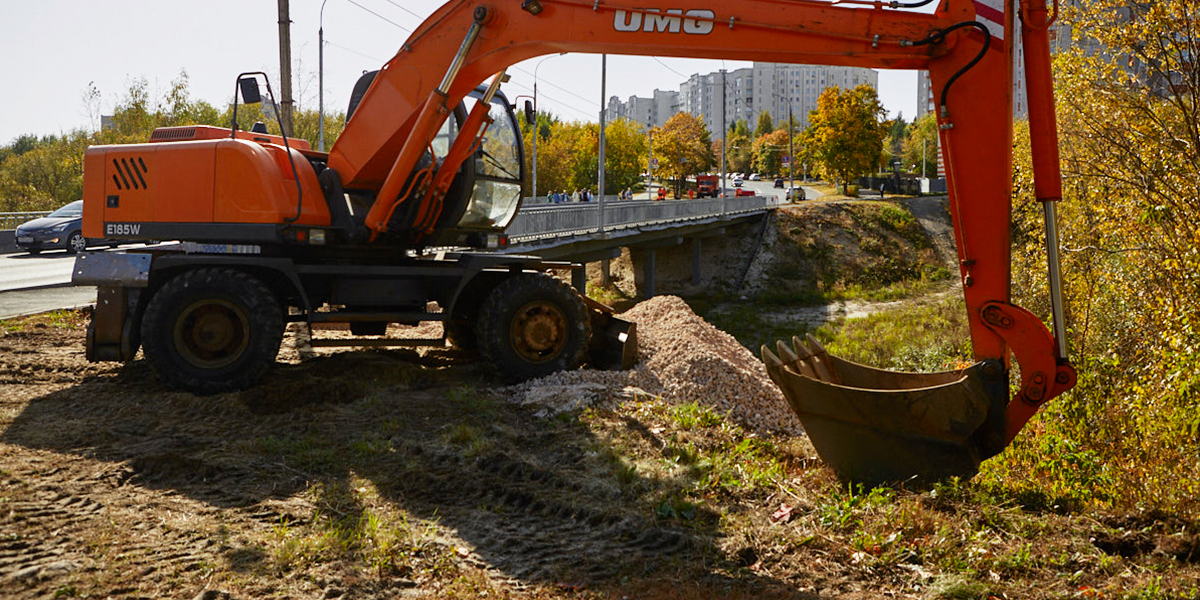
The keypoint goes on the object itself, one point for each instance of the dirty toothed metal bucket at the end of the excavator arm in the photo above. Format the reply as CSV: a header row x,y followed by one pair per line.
x,y
875,428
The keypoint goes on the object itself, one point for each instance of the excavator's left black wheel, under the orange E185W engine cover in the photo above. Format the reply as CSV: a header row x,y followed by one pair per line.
x,y
212,331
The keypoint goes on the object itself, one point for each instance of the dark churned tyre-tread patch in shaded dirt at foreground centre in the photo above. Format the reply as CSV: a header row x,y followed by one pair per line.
x,y
536,524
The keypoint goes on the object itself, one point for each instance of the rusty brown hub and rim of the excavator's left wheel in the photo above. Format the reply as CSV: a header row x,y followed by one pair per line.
x,y
212,334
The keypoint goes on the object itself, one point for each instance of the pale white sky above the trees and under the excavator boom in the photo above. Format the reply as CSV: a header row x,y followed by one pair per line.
x,y
53,50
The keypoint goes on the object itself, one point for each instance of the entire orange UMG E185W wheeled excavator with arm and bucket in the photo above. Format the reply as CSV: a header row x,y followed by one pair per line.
x,y
273,232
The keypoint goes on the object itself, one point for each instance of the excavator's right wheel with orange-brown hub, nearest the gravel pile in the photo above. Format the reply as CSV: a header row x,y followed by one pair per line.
x,y
532,326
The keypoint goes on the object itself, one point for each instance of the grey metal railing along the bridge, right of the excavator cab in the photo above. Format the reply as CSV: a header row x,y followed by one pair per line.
x,y
537,221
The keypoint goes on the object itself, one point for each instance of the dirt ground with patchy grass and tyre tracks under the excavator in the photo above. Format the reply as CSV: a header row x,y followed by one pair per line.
x,y
416,475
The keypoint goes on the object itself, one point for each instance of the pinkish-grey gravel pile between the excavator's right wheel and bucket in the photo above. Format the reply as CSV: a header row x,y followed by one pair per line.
x,y
683,359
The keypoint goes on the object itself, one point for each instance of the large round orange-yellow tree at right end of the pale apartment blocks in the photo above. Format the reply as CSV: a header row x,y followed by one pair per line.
x,y
847,133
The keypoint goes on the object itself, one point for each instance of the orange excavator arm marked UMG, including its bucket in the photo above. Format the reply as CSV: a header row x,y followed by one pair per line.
x,y
869,425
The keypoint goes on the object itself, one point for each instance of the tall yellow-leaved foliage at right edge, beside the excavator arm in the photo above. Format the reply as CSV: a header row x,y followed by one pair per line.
x,y
1130,230
